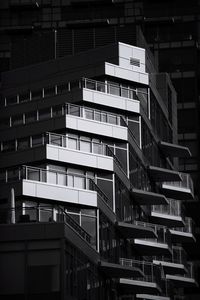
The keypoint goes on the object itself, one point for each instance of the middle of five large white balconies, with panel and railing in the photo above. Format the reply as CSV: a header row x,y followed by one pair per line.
x,y
95,121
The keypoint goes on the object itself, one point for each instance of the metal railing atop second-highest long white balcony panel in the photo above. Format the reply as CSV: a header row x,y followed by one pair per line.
x,y
112,89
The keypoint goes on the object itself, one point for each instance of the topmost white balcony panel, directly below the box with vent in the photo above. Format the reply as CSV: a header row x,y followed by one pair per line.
x,y
127,74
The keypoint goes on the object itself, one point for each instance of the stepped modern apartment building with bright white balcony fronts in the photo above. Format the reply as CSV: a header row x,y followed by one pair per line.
x,y
91,199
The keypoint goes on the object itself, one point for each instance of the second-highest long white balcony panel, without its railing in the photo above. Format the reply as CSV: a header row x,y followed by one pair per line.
x,y
111,100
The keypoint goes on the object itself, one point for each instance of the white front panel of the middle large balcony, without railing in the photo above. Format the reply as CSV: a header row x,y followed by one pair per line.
x,y
95,127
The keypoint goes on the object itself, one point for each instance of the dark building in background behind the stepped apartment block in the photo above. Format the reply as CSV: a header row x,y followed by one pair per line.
x,y
37,31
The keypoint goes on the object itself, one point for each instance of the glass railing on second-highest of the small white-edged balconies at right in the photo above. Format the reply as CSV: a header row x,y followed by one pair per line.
x,y
174,208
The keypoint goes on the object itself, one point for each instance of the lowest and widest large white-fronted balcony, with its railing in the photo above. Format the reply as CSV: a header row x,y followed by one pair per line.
x,y
55,186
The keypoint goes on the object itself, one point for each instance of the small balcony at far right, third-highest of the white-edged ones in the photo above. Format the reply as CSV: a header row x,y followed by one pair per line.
x,y
184,234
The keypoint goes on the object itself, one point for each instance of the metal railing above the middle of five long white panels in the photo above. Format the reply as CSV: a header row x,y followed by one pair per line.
x,y
92,114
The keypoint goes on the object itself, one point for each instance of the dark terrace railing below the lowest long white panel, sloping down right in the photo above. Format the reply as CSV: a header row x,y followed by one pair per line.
x,y
42,214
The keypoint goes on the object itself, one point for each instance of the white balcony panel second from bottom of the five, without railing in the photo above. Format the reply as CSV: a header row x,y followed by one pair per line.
x,y
80,158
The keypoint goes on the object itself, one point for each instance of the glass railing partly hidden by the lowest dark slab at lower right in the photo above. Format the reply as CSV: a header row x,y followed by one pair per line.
x,y
149,271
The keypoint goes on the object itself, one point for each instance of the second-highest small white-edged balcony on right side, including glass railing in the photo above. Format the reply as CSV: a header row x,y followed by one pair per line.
x,y
170,215
